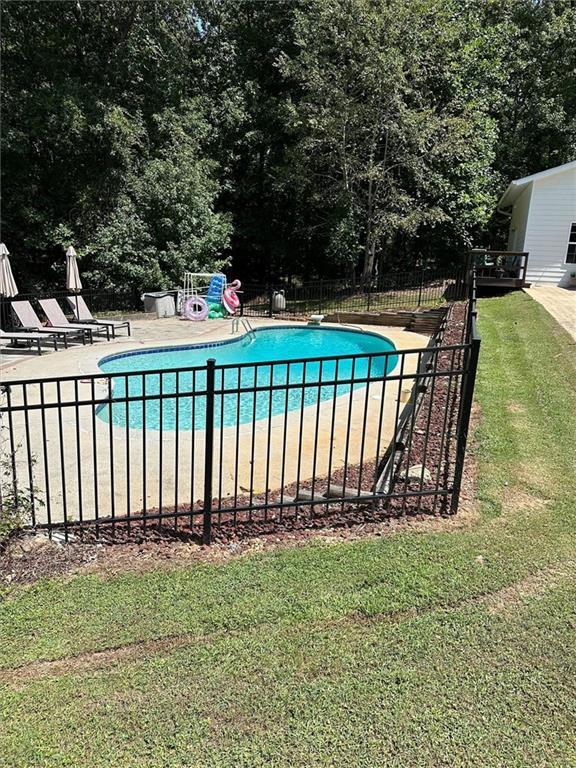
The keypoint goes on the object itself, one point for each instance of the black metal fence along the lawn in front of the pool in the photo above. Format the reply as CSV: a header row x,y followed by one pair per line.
x,y
220,449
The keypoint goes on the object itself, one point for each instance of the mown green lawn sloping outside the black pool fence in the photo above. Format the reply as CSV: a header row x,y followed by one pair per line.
x,y
454,648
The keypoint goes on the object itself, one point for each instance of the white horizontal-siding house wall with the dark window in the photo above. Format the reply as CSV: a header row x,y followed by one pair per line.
x,y
552,210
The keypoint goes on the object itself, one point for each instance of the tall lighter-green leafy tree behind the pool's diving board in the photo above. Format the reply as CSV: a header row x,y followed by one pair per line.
x,y
385,118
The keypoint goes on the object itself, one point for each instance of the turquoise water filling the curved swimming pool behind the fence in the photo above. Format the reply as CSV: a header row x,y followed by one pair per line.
x,y
255,354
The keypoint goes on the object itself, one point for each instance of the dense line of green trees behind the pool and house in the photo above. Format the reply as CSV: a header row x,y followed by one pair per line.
x,y
305,138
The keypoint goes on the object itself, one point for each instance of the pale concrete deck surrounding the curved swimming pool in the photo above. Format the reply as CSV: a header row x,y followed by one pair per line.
x,y
81,460
